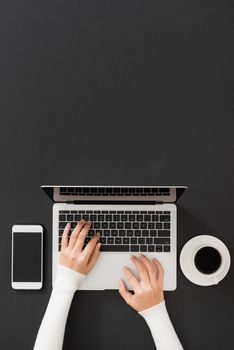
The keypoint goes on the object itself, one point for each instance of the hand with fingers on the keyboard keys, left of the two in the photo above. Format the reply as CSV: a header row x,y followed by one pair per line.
x,y
72,253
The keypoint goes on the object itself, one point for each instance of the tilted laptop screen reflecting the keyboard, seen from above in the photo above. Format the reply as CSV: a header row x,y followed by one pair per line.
x,y
114,193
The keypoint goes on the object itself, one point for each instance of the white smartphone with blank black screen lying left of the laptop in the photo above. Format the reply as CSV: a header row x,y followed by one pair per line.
x,y
27,257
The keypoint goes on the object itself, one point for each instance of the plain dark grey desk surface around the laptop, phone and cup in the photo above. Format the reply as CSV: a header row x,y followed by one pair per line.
x,y
117,92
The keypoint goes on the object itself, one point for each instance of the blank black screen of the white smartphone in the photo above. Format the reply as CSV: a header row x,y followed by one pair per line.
x,y
27,256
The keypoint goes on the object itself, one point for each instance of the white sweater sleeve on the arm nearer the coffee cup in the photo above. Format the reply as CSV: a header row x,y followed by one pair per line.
x,y
162,330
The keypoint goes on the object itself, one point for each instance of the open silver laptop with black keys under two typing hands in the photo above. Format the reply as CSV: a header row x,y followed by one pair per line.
x,y
130,220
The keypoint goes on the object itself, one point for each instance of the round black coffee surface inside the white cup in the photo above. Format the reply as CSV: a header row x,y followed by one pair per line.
x,y
207,260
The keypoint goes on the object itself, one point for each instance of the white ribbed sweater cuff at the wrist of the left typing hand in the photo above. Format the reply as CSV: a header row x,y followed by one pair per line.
x,y
67,279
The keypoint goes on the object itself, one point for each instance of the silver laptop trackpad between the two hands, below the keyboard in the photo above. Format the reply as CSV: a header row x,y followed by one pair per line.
x,y
108,271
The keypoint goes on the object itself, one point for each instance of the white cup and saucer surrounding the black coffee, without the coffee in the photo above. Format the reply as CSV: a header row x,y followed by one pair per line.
x,y
187,260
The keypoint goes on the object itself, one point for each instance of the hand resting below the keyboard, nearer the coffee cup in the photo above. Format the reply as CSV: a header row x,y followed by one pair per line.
x,y
148,290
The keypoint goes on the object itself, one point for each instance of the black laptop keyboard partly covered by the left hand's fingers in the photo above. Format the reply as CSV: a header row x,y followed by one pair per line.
x,y
123,230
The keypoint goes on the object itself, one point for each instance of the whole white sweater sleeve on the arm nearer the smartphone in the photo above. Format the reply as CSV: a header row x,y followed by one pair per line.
x,y
51,332
